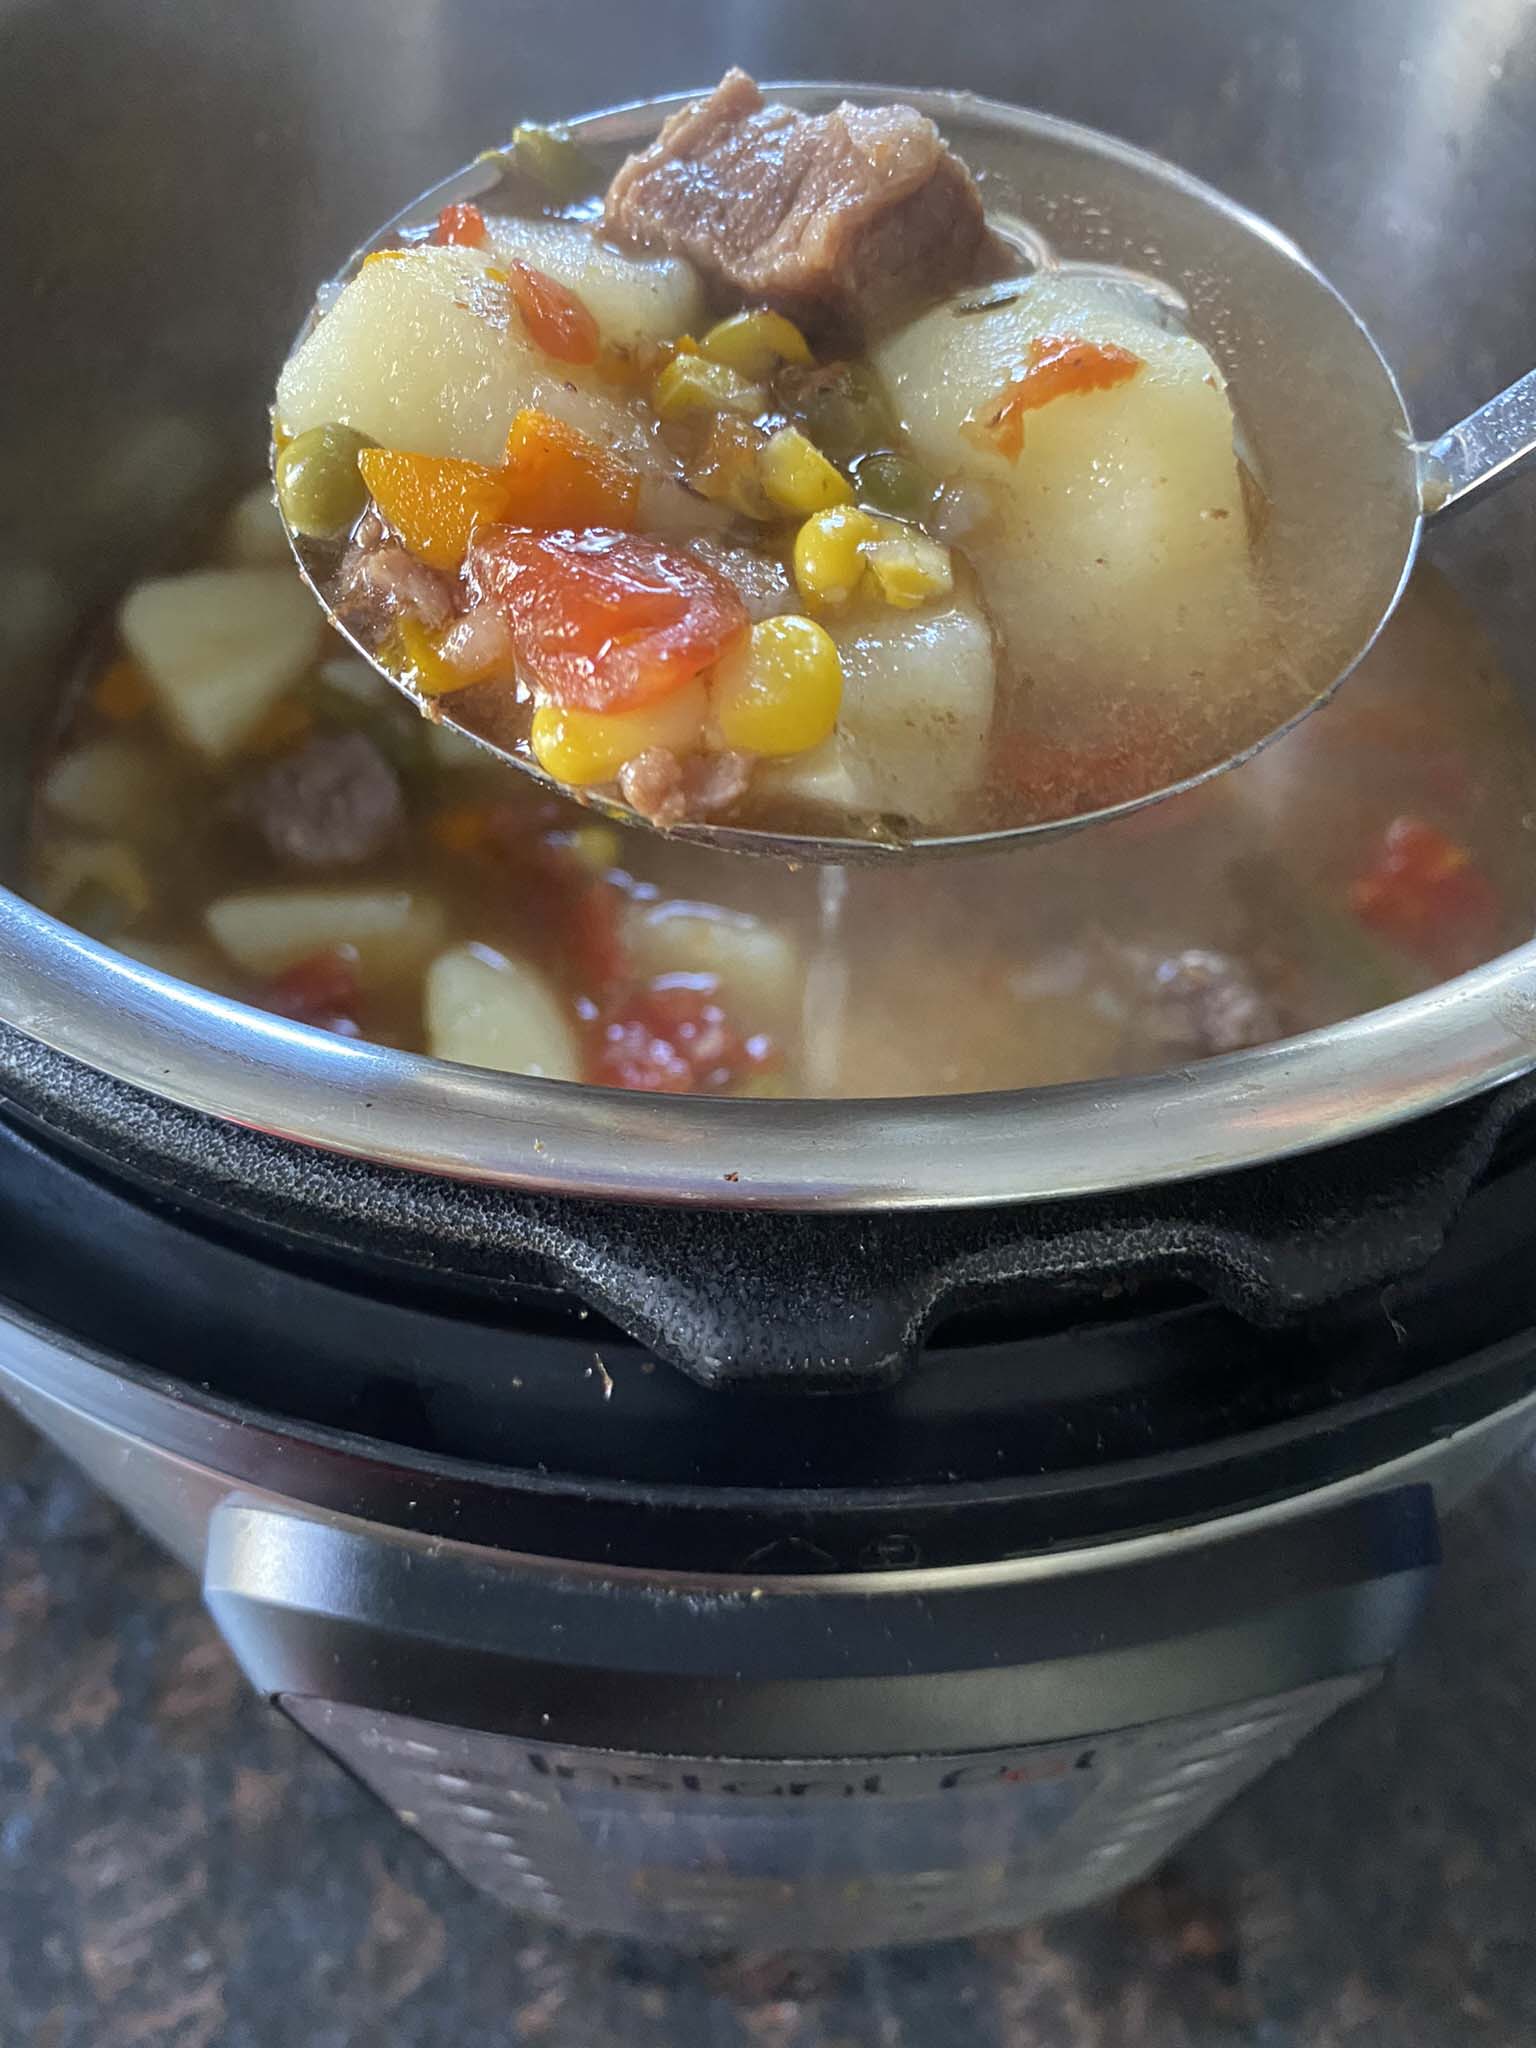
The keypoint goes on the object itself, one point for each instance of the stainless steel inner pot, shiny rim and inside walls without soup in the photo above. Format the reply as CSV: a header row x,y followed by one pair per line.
x,y
163,239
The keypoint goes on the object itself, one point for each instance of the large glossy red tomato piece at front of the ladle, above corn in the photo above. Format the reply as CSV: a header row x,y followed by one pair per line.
x,y
607,622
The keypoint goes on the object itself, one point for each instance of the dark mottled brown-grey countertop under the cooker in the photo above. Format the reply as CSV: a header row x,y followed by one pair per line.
x,y
179,1869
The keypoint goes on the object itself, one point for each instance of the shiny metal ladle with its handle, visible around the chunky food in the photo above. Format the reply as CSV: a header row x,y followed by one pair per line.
x,y
1312,392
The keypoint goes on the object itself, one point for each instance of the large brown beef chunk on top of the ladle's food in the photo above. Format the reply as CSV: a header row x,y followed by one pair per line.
x,y
837,220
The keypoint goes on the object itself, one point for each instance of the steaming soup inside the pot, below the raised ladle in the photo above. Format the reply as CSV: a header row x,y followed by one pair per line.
x,y
267,818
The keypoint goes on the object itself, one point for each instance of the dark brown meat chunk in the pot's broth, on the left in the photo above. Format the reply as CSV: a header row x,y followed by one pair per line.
x,y
331,804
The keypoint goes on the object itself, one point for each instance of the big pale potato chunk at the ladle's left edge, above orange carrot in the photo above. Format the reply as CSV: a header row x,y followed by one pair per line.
x,y
425,351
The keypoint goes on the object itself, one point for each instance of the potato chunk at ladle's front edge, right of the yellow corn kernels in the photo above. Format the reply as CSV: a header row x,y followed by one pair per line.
x,y
916,714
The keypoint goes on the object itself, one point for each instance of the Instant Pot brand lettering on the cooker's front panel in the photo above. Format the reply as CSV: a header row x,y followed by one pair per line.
x,y
851,1781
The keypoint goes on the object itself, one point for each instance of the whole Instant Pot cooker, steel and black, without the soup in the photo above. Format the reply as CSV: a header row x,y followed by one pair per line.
x,y
744,1521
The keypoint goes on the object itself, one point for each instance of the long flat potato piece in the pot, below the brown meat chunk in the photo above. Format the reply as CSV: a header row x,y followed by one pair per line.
x,y
267,931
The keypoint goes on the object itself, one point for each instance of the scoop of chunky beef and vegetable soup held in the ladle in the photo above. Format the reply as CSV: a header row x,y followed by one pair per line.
x,y
781,484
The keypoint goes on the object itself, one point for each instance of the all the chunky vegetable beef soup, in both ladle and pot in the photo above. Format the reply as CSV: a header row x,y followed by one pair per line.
x,y
759,480
